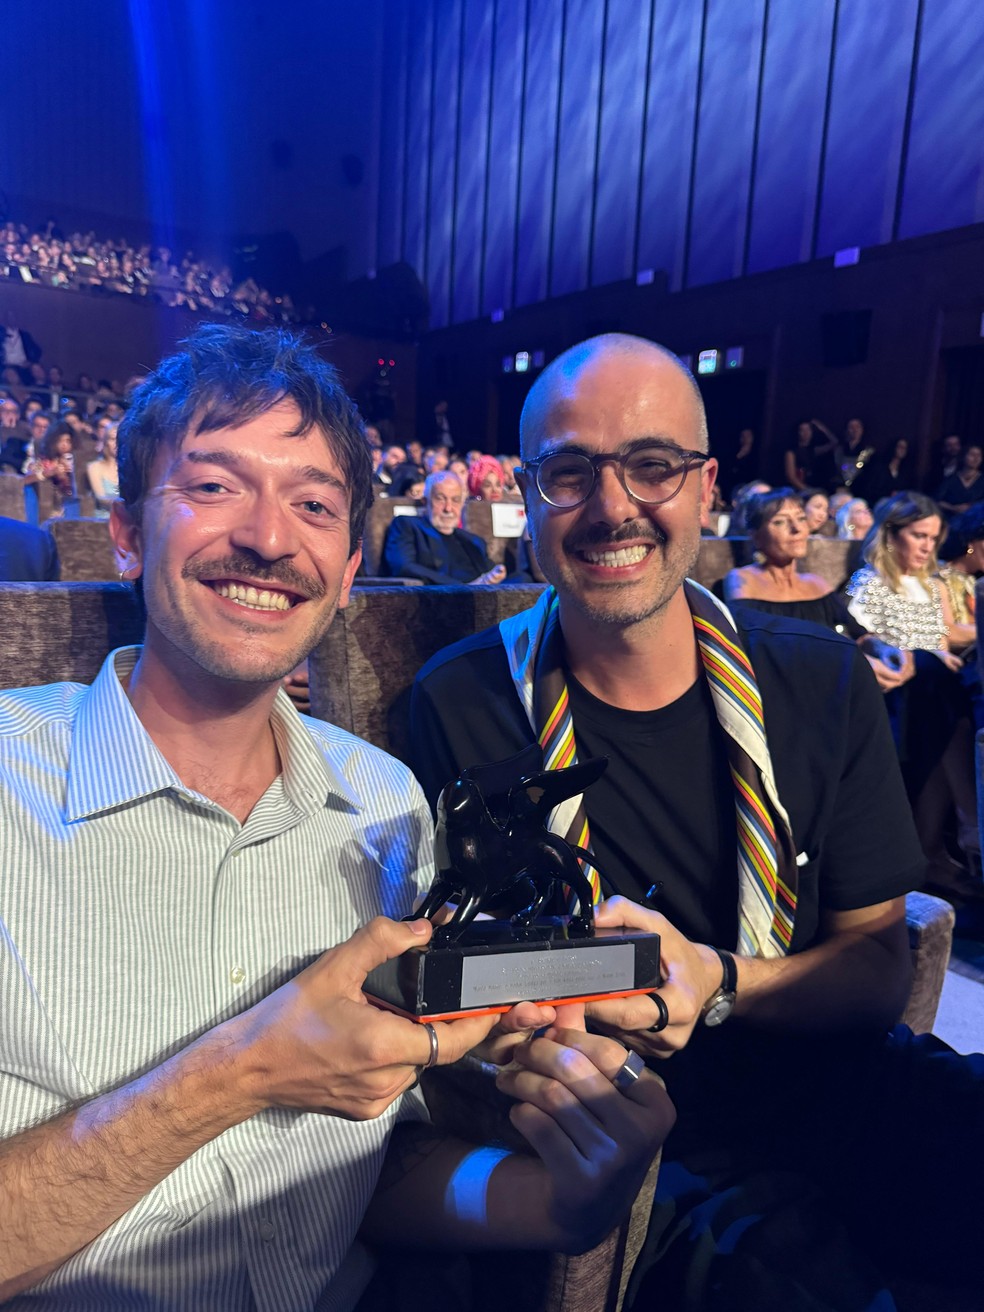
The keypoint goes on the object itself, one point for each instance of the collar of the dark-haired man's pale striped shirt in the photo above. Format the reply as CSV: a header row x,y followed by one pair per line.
x,y
113,760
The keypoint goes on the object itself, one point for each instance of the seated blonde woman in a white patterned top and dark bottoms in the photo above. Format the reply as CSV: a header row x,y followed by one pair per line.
x,y
898,596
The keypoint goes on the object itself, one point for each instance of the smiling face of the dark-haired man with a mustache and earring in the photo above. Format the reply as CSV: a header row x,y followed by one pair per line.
x,y
243,549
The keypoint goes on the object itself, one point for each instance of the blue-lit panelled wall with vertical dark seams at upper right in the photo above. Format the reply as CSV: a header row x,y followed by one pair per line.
x,y
539,148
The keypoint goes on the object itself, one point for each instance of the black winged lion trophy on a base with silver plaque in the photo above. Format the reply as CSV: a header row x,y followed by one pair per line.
x,y
499,871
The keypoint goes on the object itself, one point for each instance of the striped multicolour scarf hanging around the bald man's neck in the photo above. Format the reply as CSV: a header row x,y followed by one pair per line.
x,y
767,861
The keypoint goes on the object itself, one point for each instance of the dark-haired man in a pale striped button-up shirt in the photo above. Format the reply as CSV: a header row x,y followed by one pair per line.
x,y
196,1099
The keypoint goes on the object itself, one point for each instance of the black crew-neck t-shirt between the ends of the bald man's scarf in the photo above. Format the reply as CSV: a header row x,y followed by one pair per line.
x,y
651,826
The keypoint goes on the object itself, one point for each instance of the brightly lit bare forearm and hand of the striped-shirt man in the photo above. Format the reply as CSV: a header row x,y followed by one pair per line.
x,y
314,1045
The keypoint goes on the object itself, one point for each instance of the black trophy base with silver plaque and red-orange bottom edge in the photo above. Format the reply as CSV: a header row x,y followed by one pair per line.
x,y
497,965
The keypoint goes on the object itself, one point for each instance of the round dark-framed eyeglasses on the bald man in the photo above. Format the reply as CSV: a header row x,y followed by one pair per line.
x,y
650,474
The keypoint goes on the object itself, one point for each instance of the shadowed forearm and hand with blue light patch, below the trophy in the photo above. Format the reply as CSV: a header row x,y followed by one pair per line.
x,y
592,1146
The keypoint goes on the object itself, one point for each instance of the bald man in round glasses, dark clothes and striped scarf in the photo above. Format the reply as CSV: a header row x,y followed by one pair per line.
x,y
754,817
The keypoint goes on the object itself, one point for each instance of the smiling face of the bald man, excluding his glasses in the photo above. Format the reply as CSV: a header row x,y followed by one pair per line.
x,y
615,560
